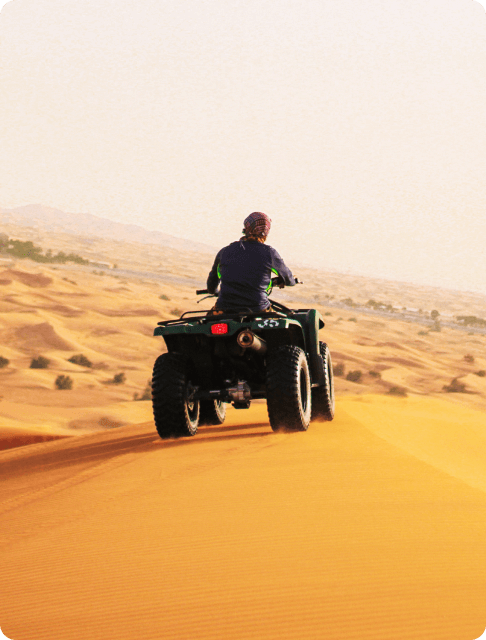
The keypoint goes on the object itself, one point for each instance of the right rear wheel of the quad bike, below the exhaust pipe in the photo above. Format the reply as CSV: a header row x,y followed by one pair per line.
x,y
288,390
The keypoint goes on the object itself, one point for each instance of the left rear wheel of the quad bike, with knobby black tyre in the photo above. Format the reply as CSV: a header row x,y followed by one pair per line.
x,y
176,413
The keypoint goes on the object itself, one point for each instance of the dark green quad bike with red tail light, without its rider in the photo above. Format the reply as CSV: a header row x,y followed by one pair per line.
x,y
240,356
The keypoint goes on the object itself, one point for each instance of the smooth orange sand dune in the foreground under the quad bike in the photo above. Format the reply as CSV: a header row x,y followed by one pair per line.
x,y
359,528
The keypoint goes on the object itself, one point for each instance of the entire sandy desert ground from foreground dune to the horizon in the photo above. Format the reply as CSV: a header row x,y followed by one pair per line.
x,y
369,526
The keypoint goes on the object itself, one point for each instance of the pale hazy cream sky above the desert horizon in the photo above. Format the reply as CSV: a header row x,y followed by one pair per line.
x,y
358,126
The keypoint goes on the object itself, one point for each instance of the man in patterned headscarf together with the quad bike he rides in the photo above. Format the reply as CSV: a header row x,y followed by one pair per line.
x,y
246,348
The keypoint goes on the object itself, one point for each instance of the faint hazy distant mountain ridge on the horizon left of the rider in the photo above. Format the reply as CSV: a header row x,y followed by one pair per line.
x,y
88,225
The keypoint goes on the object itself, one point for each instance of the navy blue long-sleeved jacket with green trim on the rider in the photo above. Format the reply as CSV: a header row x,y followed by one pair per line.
x,y
245,268
